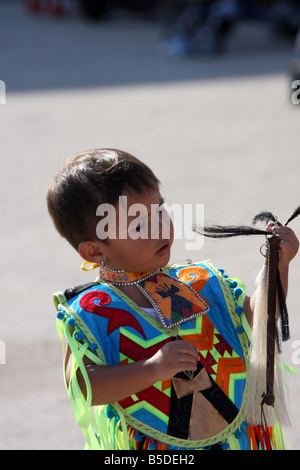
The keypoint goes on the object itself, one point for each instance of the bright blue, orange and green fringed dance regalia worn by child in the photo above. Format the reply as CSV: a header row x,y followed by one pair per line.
x,y
200,410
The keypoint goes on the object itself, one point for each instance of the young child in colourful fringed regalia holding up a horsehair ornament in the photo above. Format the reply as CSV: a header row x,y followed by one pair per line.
x,y
157,351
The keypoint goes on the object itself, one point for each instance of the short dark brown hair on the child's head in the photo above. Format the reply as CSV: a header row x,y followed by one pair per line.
x,y
89,179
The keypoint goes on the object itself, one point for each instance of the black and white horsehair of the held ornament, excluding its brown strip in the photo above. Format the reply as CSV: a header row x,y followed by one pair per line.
x,y
257,378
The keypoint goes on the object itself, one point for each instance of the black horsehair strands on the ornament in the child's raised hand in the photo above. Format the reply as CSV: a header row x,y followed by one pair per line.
x,y
219,231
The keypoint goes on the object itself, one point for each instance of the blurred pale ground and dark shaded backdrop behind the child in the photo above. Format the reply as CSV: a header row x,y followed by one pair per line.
x,y
202,91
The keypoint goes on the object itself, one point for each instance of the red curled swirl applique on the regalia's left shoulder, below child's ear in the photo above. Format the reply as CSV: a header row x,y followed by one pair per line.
x,y
117,317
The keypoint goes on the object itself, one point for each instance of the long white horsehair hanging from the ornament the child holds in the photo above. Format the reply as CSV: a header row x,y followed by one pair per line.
x,y
257,360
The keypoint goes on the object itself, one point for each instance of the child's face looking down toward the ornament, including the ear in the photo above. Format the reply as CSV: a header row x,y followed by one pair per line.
x,y
144,234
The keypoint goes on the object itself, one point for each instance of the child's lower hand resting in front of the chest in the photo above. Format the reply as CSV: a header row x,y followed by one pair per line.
x,y
174,357
